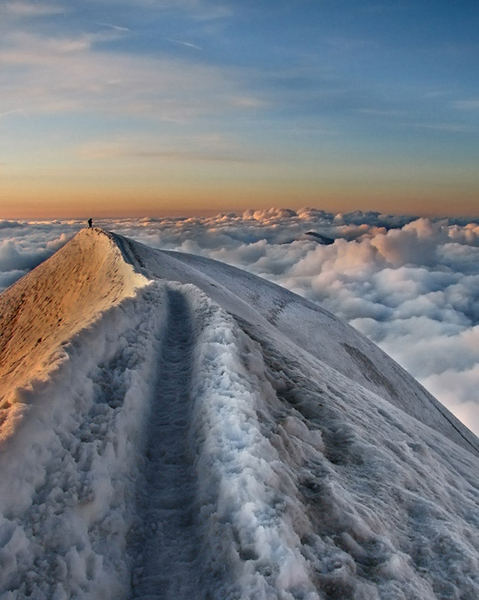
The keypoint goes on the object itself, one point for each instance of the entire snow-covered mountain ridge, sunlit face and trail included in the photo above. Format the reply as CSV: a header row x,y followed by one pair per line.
x,y
212,436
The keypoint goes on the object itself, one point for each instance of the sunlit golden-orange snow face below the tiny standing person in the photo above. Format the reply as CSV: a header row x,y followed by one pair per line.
x,y
63,295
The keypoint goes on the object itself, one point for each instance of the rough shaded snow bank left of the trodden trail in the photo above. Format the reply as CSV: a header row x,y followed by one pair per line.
x,y
69,467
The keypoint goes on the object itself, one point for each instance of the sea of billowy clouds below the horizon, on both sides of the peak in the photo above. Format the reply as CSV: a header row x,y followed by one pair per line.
x,y
410,284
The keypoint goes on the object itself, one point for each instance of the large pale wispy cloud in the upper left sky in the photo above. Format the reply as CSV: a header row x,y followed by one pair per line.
x,y
78,74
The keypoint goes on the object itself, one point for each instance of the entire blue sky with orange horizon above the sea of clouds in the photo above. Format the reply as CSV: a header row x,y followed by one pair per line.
x,y
156,107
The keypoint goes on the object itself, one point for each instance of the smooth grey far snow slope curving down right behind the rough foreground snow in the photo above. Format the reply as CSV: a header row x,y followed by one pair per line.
x,y
266,307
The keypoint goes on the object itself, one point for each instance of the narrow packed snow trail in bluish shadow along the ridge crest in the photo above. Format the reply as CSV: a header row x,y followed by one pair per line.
x,y
168,546
